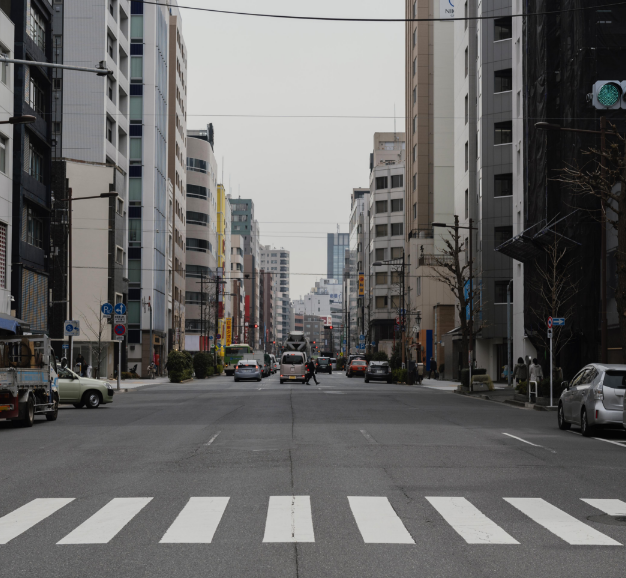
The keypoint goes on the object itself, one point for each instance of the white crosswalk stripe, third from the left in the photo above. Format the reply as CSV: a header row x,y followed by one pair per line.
x,y
197,523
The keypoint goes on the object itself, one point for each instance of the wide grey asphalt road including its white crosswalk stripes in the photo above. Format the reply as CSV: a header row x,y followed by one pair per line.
x,y
344,479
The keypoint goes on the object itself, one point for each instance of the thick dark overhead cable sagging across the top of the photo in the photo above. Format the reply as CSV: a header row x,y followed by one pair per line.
x,y
336,19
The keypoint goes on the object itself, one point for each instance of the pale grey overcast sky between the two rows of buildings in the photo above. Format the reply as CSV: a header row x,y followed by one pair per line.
x,y
299,171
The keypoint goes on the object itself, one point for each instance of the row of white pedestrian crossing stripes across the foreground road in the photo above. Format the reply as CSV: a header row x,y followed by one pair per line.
x,y
291,519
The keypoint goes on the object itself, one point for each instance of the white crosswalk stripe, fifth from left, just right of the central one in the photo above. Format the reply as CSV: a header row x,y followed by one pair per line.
x,y
378,522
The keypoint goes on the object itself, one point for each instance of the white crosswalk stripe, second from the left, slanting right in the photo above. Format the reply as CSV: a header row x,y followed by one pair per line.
x,y
102,527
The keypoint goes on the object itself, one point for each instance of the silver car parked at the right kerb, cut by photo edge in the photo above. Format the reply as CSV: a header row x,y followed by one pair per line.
x,y
594,398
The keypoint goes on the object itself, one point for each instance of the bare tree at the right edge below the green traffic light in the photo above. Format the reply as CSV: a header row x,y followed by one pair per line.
x,y
603,177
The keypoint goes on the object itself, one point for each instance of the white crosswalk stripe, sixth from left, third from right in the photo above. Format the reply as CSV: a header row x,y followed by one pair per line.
x,y
469,522
